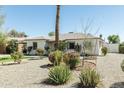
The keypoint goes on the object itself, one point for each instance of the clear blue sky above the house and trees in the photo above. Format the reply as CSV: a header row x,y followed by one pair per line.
x,y
40,20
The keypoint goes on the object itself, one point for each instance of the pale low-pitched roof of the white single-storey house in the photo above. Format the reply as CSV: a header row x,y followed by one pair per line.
x,y
66,36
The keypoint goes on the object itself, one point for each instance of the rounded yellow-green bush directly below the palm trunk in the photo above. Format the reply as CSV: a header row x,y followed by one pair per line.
x,y
56,57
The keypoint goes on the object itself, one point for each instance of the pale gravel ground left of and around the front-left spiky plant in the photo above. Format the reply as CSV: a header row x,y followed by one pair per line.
x,y
28,74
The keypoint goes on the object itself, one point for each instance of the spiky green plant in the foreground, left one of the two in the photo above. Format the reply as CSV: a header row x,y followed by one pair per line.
x,y
59,75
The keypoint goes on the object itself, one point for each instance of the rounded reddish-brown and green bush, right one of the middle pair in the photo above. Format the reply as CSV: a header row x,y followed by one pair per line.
x,y
71,59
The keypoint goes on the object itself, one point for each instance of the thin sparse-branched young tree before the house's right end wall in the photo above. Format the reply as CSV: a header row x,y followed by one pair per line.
x,y
89,47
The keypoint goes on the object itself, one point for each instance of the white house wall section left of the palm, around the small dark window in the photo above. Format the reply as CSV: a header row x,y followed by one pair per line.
x,y
40,44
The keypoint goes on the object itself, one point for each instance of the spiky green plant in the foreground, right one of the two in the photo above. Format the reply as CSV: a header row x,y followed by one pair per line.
x,y
89,78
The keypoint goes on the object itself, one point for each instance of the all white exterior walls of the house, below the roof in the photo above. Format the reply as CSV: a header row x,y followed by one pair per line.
x,y
95,43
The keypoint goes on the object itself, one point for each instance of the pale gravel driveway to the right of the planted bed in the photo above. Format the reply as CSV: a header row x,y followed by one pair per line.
x,y
110,70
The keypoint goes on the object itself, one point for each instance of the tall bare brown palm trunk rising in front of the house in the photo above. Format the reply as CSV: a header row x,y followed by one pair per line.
x,y
57,27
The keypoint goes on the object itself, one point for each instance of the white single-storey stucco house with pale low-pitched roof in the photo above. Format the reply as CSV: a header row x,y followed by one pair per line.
x,y
72,38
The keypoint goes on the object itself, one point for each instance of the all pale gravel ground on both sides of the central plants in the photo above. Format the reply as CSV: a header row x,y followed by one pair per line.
x,y
32,73
